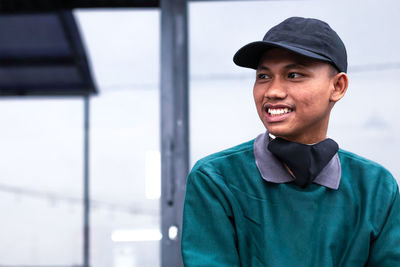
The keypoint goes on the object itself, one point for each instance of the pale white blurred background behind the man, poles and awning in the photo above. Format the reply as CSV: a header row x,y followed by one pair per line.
x,y
41,139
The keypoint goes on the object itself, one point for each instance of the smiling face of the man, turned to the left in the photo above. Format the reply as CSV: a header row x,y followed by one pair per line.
x,y
293,95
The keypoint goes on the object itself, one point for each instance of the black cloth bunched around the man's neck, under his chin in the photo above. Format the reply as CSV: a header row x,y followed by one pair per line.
x,y
305,161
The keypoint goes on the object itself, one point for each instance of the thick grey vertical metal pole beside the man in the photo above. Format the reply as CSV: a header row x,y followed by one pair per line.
x,y
174,126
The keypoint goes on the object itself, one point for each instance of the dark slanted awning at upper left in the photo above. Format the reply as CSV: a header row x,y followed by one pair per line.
x,y
42,54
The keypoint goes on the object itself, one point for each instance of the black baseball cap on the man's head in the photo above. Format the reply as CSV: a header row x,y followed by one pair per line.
x,y
309,37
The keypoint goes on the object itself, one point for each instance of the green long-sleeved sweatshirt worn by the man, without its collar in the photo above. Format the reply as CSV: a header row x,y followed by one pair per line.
x,y
232,217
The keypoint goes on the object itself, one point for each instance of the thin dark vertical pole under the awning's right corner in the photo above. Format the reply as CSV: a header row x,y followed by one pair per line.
x,y
86,200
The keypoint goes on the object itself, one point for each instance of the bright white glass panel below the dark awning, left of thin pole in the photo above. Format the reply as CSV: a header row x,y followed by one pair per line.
x,y
41,181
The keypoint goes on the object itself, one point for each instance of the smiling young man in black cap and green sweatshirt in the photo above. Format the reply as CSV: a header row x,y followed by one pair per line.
x,y
291,197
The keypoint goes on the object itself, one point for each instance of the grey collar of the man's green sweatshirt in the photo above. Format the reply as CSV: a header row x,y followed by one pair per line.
x,y
272,170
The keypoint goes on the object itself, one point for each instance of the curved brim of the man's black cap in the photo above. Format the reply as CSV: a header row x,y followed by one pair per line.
x,y
249,55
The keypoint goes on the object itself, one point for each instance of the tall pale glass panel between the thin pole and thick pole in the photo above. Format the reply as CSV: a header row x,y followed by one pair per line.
x,y
125,162
